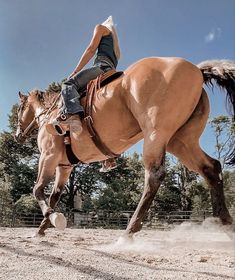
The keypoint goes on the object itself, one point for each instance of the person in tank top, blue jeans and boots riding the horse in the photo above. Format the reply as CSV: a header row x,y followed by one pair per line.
x,y
105,44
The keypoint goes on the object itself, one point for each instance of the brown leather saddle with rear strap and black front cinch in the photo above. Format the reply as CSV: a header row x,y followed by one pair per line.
x,y
91,90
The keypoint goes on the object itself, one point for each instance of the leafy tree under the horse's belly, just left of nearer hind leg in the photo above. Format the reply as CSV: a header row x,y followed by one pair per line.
x,y
121,188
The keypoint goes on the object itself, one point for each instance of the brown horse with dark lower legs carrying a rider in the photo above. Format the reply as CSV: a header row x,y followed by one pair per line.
x,y
158,99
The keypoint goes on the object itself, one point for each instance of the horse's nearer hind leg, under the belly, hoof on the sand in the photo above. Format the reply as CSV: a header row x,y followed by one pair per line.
x,y
154,156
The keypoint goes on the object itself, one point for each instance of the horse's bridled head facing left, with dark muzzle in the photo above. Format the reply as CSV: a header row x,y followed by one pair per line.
x,y
26,118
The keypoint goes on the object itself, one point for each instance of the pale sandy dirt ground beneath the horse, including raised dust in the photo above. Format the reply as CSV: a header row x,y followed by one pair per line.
x,y
188,251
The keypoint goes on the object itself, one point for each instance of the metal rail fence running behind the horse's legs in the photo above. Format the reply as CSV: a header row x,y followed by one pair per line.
x,y
106,219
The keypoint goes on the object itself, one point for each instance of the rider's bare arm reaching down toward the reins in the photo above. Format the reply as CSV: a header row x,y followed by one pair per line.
x,y
99,32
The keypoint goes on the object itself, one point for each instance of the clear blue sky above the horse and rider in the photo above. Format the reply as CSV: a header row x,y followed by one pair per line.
x,y
41,41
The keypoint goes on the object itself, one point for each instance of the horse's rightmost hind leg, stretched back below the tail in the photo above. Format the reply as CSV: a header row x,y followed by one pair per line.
x,y
185,146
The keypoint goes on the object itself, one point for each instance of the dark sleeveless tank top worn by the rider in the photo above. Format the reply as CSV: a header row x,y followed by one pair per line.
x,y
106,48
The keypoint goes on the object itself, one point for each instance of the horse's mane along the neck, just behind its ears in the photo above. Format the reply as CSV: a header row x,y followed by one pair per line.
x,y
45,98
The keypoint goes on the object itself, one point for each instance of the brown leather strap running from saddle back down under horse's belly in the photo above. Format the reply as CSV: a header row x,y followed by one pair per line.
x,y
92,88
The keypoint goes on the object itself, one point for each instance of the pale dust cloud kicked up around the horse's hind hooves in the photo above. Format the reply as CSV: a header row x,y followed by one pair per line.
x,y
210,235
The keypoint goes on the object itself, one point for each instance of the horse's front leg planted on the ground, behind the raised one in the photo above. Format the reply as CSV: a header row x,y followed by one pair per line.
x,y
62,175
